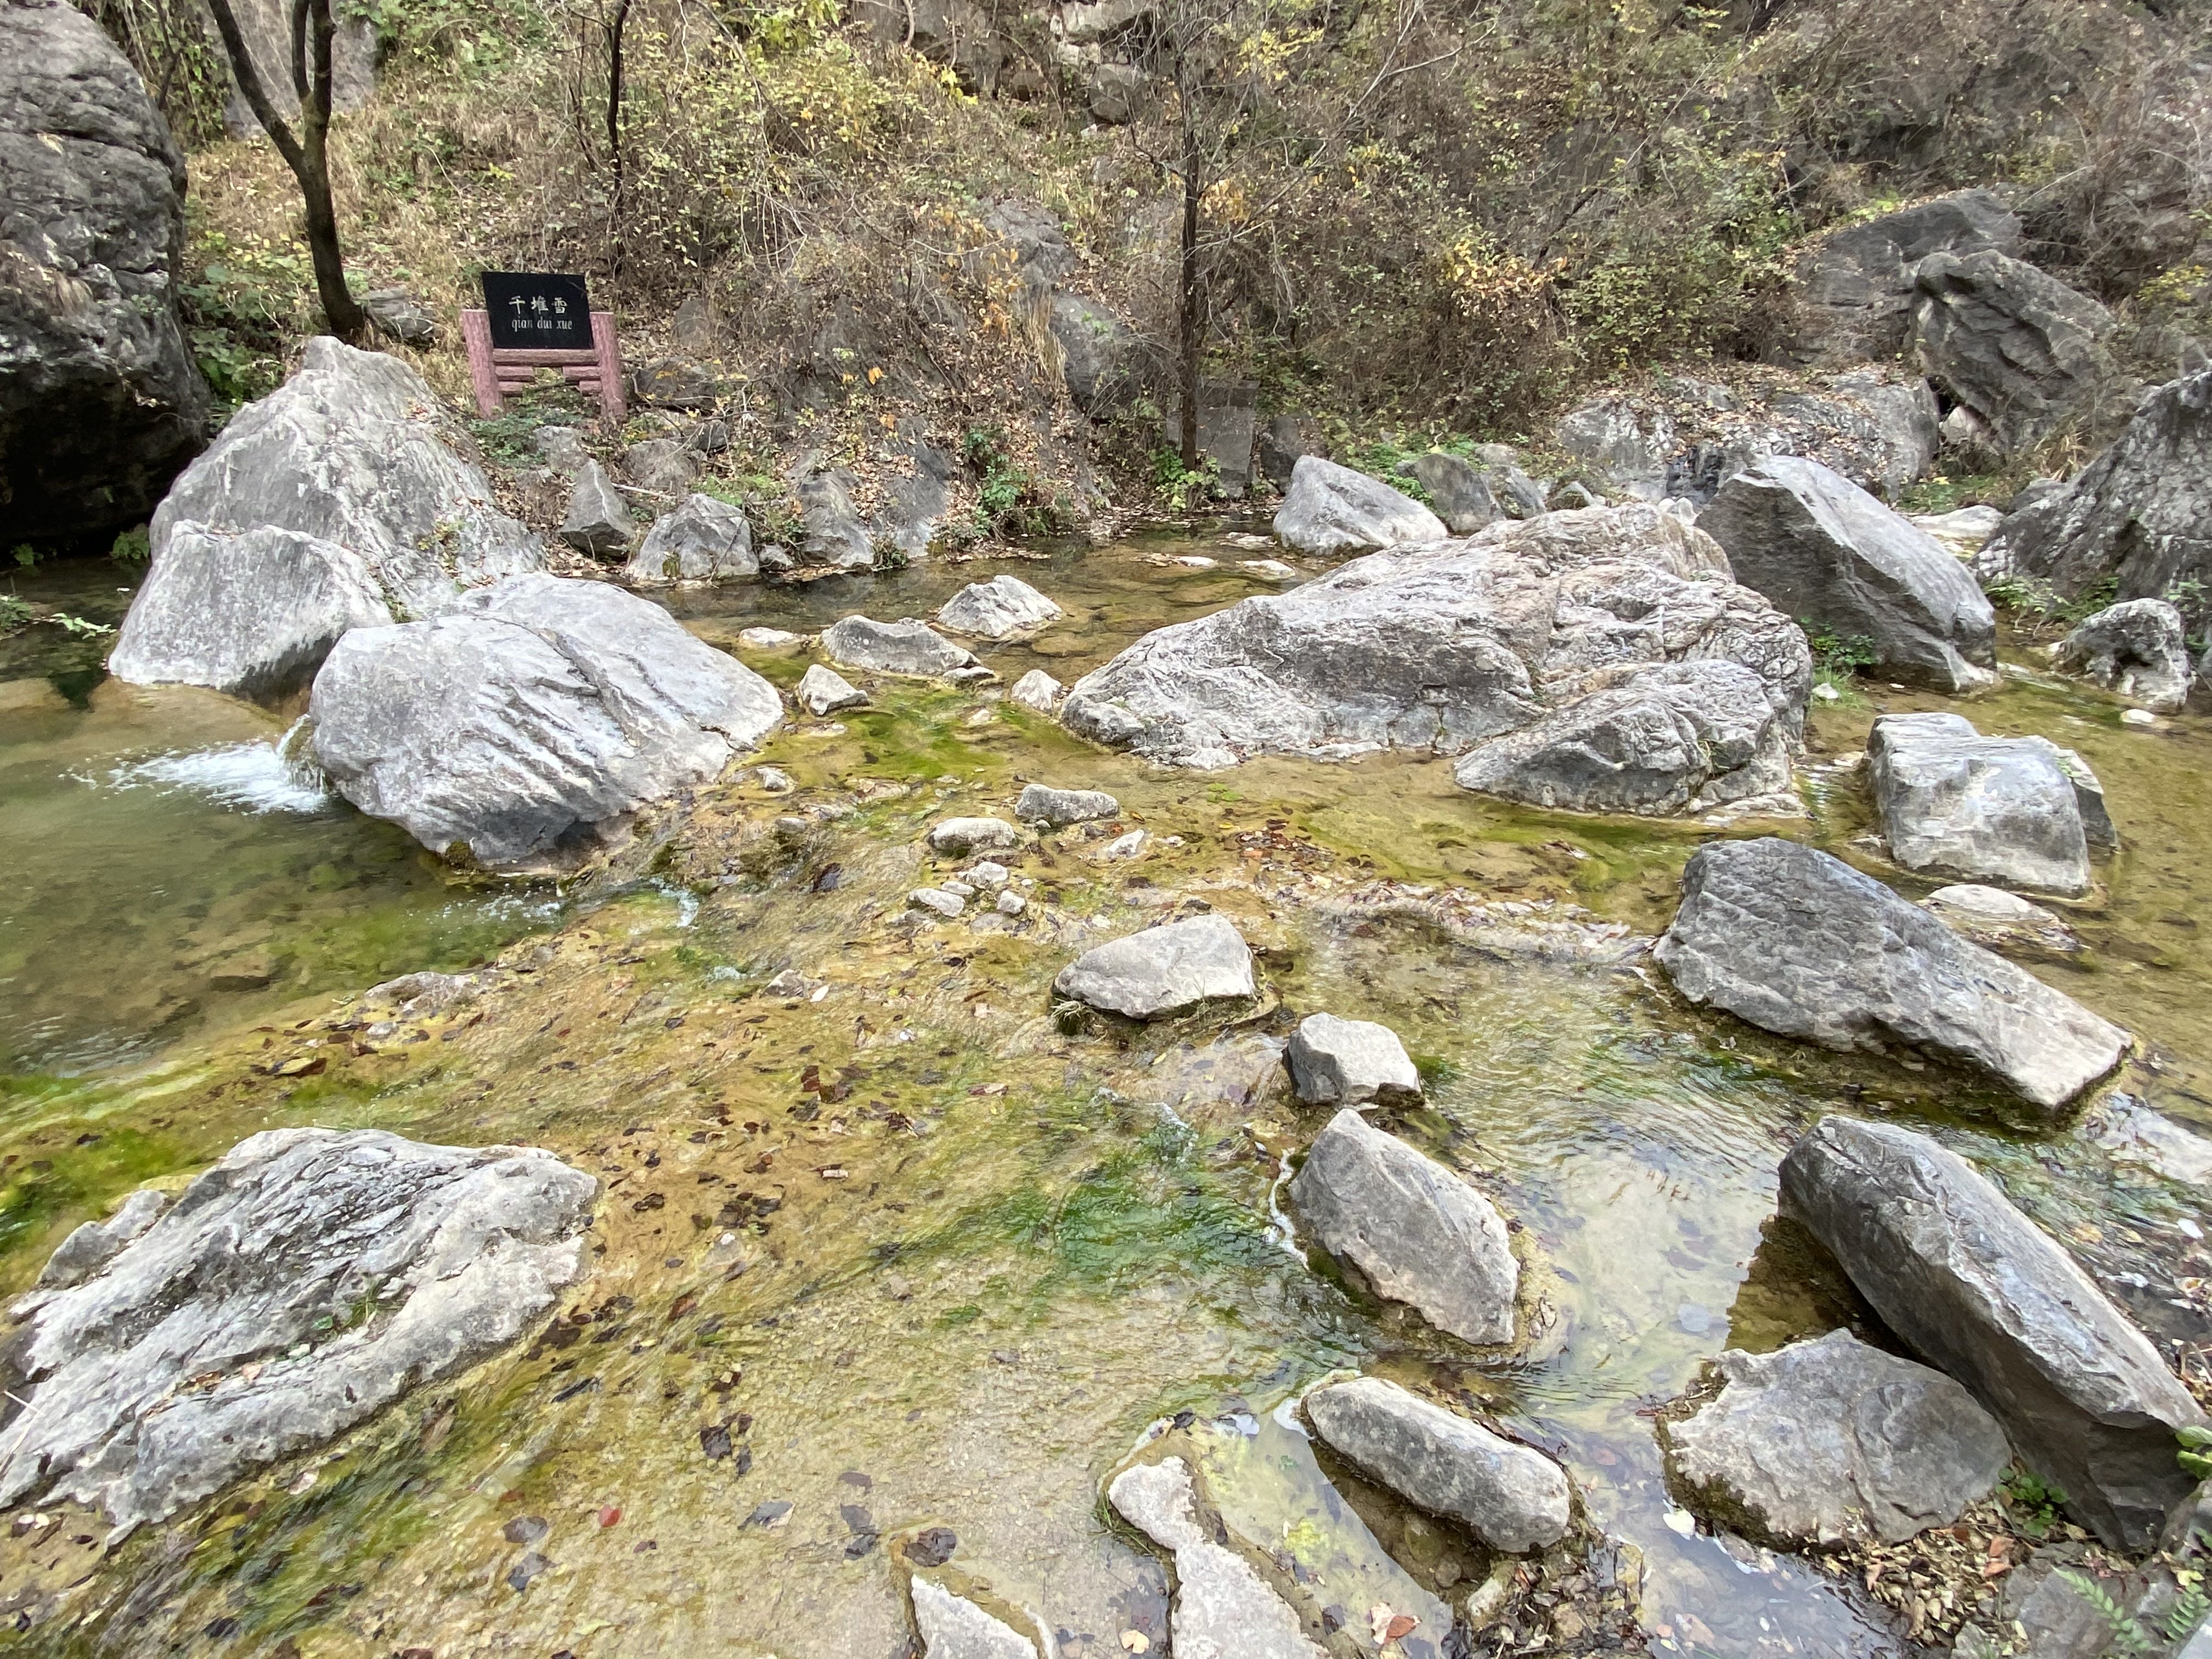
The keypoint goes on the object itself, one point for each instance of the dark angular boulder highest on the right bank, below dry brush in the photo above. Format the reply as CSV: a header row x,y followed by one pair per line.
x,y
2016,351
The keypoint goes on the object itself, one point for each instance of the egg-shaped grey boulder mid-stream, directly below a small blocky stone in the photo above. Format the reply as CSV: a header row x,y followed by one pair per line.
x,y
1412,1229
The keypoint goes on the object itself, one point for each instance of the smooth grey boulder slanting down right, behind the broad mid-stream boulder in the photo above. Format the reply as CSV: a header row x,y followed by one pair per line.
x,y
1833,556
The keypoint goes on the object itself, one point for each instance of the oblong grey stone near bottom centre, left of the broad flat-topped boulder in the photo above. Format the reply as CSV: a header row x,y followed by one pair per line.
x,y
1510,1496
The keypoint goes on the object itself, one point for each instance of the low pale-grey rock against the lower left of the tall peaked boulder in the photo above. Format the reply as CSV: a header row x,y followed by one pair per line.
x,y
249,614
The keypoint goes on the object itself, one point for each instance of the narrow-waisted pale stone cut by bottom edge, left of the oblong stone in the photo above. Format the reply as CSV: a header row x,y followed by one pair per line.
x,y
1224,1609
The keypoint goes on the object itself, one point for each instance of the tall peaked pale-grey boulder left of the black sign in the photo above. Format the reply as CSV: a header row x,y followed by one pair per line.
x,y
353,450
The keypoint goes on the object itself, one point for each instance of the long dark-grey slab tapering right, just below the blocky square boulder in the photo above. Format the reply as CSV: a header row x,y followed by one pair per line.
x,y
1799,943
